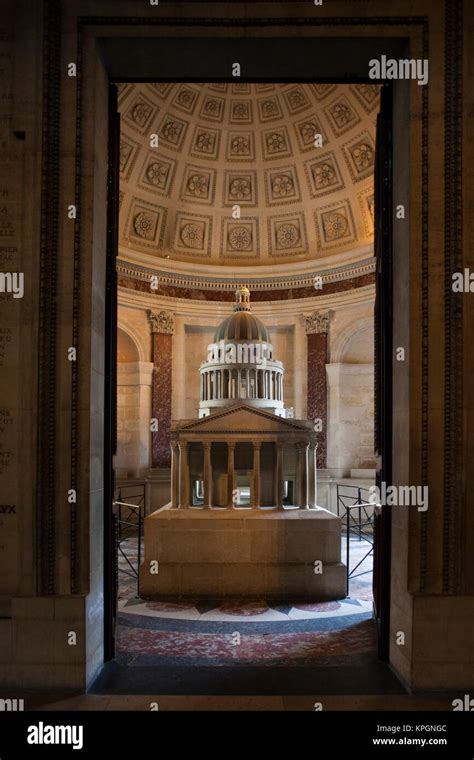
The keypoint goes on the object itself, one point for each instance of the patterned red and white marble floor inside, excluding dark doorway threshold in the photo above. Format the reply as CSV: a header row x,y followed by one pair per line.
x,y
246,632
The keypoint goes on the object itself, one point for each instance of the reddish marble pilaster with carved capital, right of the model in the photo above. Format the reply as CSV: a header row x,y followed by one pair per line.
x,y
317,327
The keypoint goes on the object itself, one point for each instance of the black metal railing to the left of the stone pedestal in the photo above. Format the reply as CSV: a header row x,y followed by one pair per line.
x,y
129,509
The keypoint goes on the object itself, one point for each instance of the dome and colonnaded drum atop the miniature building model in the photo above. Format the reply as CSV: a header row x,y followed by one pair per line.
x,y
240,364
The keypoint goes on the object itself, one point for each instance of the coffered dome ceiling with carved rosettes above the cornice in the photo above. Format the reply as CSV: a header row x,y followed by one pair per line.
x,y
226,150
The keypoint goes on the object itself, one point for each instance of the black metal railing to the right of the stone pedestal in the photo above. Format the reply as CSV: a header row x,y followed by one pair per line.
x,y
357,513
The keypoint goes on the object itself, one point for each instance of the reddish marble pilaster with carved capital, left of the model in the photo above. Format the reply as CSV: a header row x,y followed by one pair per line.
x,y
162,328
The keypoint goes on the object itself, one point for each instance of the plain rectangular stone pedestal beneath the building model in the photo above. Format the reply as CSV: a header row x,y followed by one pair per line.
x,y
208,553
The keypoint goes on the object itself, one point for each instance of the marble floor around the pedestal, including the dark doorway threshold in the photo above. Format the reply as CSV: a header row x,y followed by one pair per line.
x,y
195,645
